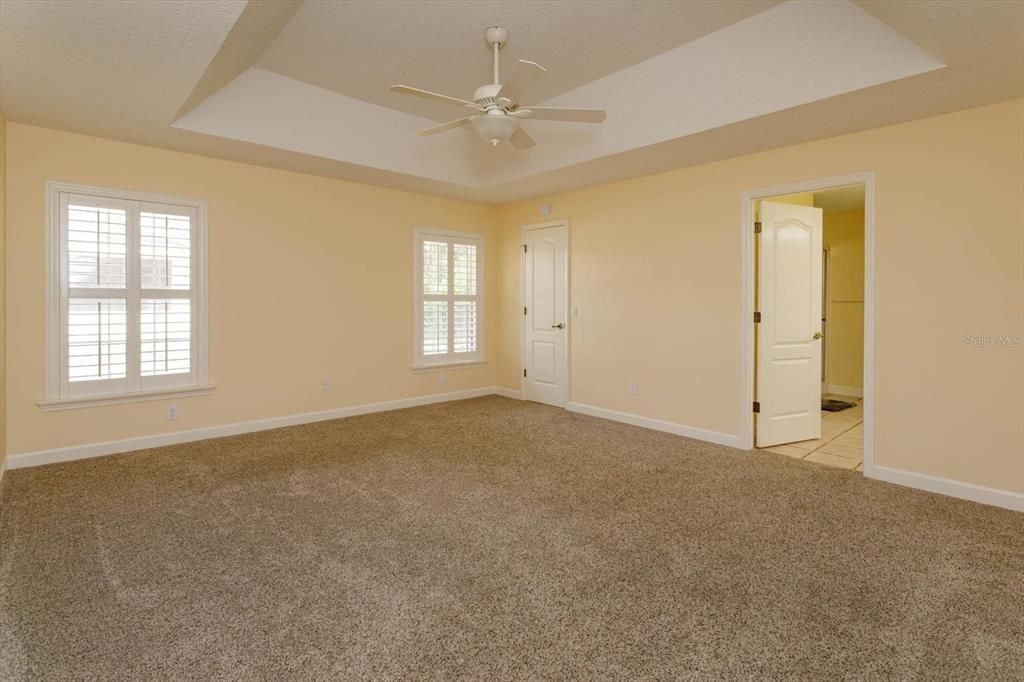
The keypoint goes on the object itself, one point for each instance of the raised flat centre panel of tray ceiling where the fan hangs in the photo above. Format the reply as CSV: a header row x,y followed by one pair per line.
x,y
360,48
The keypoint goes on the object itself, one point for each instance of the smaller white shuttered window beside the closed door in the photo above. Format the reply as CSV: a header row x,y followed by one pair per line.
x,y
449,281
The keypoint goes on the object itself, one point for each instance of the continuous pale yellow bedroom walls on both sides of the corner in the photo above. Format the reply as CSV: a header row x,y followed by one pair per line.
x,y
655,271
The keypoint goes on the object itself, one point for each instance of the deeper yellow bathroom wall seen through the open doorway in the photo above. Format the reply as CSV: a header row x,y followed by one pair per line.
x,y
844,238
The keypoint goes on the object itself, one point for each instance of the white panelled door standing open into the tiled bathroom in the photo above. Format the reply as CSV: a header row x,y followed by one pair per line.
x,y
789,388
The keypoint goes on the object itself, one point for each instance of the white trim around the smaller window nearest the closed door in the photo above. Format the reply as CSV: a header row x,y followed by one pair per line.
x,y
463,360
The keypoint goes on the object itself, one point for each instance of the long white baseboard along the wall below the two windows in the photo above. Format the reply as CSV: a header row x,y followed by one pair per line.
x,y
70,454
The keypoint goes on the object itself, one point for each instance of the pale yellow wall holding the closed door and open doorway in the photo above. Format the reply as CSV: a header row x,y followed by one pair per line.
x,y
655,270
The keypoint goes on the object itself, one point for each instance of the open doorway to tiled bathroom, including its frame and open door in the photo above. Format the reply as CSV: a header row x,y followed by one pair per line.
x,y
809,276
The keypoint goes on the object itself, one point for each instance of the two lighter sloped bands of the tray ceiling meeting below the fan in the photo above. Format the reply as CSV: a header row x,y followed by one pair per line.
x,y
818,51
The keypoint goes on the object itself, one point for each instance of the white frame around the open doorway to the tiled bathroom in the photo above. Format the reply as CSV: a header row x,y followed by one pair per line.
x,y
747,350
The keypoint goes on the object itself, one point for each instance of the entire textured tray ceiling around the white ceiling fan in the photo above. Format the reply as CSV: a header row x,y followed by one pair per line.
x,y
304,86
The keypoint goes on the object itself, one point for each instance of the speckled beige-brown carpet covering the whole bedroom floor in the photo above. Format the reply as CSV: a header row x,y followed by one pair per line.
x,y
493,539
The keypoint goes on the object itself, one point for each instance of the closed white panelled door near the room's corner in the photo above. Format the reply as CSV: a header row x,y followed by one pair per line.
x,y
545,315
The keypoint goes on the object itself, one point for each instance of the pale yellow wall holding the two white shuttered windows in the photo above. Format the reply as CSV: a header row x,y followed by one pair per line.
x,y
309,279
